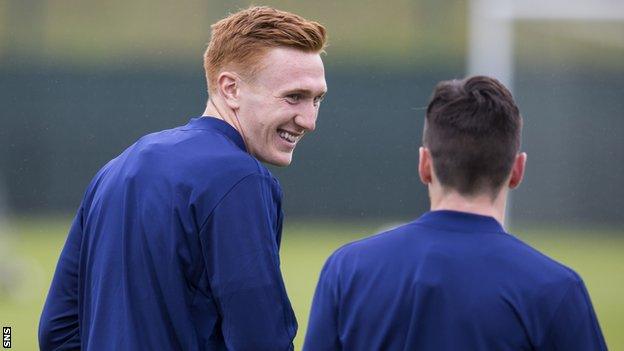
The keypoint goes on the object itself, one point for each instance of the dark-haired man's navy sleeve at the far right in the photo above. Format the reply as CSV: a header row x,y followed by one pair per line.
x,y
574,325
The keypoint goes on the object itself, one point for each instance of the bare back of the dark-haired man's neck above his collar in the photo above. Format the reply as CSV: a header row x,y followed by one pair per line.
x,y
480,204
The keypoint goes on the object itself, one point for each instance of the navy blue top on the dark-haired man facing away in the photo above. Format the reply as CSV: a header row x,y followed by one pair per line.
x,y
449,281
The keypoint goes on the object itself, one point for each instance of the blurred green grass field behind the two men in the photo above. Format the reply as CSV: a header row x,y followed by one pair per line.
x,y
28,258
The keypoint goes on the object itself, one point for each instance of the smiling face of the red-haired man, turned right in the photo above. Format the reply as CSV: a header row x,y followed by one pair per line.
x,y
280,103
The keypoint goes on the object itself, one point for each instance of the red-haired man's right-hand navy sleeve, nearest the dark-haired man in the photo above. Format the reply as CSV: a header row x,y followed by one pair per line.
x,y
241,253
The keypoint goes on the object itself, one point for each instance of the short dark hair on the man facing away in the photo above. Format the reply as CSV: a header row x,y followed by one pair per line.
x,y
472,130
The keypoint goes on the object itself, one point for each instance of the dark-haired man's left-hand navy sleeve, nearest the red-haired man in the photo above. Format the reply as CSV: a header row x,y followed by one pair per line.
x,y
322,334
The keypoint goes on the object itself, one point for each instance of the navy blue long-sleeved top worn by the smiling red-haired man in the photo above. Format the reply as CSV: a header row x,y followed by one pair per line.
x,y
174,247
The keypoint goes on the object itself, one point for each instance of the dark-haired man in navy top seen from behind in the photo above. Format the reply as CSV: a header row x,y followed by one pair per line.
x,y
454,279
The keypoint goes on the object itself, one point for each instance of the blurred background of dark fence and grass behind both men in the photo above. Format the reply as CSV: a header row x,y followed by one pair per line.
x,y
82,80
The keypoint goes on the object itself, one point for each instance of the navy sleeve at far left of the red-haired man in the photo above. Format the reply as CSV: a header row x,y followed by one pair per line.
x,y
58,326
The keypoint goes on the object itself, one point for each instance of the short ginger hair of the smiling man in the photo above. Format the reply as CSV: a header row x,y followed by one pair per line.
x,y
240,40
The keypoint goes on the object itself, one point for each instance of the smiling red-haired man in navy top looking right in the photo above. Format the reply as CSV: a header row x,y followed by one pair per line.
x,y
175,244
